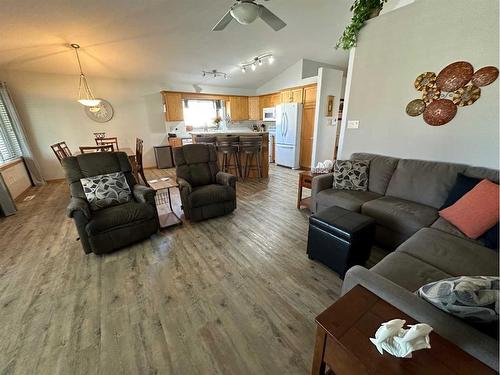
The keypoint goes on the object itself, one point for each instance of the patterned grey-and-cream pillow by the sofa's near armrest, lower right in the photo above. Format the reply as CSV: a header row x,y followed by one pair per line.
x,y
473,298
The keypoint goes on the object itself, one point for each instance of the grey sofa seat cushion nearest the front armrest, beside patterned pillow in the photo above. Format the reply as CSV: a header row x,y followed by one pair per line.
x,y
407,271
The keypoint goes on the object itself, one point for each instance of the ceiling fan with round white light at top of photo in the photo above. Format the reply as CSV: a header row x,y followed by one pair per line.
x,y
247,11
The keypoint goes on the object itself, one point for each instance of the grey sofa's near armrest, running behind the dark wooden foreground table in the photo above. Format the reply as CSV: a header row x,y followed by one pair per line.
x,y
466,337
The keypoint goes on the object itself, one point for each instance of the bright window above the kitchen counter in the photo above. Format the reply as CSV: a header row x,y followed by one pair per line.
x,y
201,113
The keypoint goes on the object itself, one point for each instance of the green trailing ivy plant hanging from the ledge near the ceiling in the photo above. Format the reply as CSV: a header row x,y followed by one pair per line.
x,y
362,10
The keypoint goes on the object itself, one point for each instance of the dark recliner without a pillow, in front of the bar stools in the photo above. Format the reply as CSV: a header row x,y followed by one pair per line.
x,y
205,191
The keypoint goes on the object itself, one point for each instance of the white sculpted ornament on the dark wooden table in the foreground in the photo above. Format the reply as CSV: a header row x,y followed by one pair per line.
x,y
400,342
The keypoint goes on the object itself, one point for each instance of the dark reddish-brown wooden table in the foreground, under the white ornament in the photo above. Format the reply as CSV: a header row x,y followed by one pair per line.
x,y
343,345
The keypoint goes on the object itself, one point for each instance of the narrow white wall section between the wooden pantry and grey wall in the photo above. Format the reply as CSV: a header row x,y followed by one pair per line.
x,y
330,82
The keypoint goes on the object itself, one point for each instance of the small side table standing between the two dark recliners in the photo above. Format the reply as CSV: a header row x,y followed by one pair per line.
x,y
166,215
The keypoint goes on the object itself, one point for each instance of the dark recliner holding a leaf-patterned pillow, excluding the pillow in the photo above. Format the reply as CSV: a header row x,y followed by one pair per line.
x,y
110,228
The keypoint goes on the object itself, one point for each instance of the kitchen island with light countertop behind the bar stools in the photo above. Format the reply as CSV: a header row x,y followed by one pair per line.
x,y
264,162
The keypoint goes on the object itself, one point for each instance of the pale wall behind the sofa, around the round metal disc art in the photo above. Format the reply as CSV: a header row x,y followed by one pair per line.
x,y
393,50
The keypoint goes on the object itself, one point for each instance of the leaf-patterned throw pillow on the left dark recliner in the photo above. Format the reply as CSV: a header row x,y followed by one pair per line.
x,y
106,190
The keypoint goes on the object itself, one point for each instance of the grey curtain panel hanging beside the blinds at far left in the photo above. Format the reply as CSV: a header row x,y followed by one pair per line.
x,y
29,160
